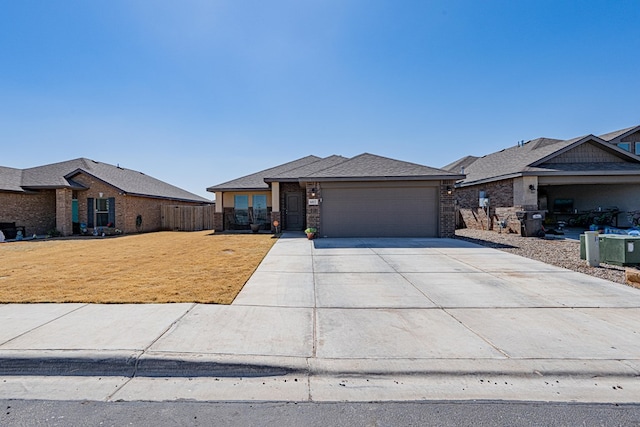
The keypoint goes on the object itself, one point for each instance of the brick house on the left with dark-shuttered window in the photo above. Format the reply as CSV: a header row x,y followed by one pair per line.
x,y
82,195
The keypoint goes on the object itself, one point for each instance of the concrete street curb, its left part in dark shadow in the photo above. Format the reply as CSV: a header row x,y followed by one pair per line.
x,y
183,366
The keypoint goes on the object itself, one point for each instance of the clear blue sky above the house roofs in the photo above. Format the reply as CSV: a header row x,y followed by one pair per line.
x,y
196,93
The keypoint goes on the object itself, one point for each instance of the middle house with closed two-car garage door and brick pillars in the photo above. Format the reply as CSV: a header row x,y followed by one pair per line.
x,y
363,196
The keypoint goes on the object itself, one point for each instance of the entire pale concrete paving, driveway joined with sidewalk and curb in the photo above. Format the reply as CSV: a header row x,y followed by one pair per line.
x,y
438,312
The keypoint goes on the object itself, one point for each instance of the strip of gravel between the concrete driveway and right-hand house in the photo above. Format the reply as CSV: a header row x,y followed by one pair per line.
x,y
555,250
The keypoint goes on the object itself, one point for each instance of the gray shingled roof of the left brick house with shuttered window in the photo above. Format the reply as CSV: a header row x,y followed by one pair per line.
x,y
60,175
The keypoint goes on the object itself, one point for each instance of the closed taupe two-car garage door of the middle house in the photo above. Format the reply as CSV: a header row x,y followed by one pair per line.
x,y
382,210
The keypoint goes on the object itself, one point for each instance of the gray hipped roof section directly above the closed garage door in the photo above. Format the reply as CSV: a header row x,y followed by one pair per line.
x,y
374,168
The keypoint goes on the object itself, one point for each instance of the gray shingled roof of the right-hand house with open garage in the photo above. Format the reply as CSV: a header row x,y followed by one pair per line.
x,y
529,157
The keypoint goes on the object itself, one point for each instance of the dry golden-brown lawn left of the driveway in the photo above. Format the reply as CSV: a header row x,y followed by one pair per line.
x,y
161,267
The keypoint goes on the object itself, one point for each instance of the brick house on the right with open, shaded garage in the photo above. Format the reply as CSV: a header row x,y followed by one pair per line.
x,y
584,179
